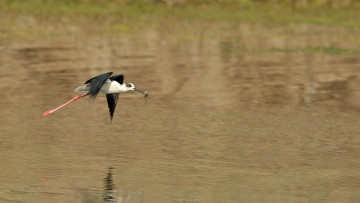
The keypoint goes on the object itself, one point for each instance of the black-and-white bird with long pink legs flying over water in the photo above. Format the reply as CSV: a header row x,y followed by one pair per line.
x,y
102,84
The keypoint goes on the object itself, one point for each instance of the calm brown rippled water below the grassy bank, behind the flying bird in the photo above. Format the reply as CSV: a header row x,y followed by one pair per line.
x,y
219,126
